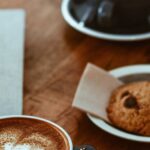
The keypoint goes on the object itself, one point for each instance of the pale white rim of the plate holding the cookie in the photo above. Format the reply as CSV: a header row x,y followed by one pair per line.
x,y
120,72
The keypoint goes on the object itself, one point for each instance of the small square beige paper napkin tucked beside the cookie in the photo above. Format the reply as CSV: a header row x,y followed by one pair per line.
x,y
94,91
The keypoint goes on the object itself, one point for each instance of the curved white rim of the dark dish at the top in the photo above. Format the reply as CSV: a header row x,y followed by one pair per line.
x,y
115,37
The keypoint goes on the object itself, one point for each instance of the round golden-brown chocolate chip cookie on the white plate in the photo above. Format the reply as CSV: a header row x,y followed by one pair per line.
x,y
129,108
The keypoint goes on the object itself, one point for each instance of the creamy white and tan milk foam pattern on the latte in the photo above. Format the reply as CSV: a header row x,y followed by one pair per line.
x,y
10,140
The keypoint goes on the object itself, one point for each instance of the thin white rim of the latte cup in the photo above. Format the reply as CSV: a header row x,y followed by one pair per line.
x,y
43,120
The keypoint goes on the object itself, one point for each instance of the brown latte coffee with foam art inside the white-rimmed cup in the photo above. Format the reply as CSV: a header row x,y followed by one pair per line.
x,y
31,134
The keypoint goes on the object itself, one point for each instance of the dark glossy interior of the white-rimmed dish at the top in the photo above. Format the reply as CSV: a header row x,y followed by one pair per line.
x,y
113,16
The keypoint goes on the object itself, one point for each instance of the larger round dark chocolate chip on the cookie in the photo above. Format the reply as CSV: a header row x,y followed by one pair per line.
x,y
130,102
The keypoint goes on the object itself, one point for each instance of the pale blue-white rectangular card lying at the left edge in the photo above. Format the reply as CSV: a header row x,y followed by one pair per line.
x,y
12,28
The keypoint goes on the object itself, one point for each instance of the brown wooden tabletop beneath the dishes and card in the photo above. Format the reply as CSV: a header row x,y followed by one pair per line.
x,y
55,57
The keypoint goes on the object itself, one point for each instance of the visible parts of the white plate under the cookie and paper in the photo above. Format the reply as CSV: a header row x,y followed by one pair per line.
x,y
143,72
